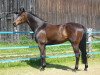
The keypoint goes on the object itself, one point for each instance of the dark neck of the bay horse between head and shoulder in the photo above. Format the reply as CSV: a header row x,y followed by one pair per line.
x,y
34,22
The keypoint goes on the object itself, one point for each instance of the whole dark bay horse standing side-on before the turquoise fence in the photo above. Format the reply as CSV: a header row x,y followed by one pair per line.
x,y
55,34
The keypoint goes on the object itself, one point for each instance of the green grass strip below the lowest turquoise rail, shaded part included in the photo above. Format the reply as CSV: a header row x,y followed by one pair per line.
x,y
56,62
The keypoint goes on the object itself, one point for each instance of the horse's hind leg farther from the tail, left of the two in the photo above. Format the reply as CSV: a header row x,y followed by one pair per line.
x,y
77,54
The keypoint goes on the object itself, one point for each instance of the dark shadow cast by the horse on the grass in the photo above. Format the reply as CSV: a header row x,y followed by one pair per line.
x,y
36,64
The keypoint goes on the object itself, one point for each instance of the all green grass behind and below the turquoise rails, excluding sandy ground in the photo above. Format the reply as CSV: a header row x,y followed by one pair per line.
x,y
53,50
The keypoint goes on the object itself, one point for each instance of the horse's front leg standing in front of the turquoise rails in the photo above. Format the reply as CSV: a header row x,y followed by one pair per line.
x,y
42,55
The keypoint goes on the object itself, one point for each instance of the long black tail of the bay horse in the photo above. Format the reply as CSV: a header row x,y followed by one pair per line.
x,y
82,47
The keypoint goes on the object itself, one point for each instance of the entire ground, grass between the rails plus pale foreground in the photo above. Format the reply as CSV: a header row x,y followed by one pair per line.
x,y
55,66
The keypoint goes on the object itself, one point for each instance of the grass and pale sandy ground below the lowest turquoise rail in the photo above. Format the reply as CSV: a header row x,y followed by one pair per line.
x,y
58,66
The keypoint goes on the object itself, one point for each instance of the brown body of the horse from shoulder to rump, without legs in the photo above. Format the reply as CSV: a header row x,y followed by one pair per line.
x,y
55,34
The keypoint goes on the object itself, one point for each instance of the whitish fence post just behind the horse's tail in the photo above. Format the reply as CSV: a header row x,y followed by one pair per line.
x,y
89,40
